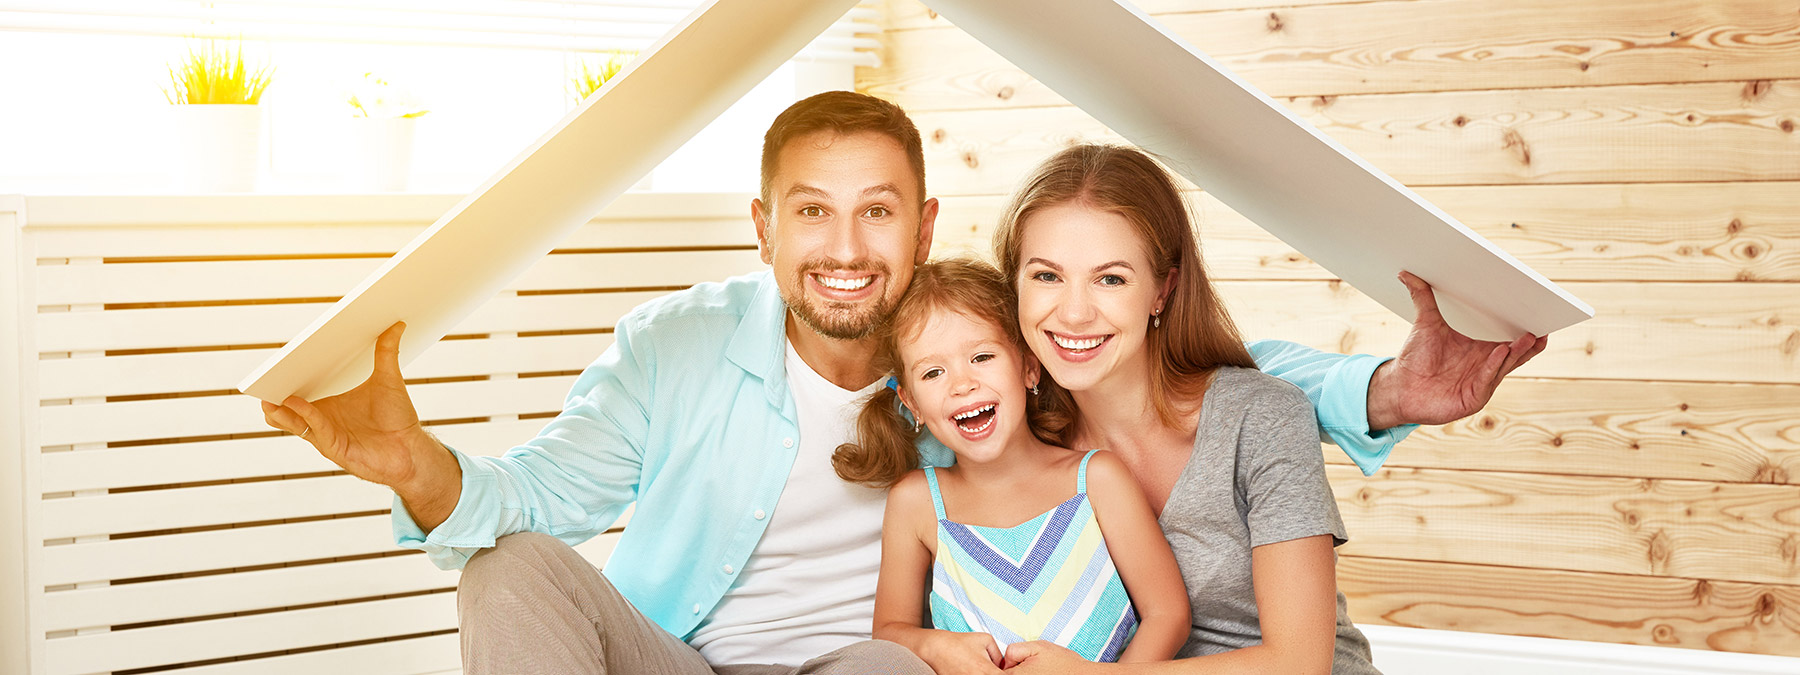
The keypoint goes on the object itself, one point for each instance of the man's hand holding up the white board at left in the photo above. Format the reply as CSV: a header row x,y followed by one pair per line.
x,y
375,435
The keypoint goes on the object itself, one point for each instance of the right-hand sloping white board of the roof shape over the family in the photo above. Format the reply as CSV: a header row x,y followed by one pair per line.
x,y
1162,94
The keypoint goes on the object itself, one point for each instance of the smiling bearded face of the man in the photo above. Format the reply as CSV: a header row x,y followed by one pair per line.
x,y
843,231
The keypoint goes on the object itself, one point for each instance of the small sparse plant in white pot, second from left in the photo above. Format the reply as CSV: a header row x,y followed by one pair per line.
x,y
382,130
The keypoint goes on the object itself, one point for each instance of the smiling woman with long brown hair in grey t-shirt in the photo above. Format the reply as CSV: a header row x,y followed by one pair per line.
x,y
1146,361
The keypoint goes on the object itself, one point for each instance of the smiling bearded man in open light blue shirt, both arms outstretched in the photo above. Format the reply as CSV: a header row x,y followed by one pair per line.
x,y
717,411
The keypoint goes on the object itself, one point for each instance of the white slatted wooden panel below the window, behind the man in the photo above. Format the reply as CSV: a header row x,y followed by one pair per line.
x,y
150,521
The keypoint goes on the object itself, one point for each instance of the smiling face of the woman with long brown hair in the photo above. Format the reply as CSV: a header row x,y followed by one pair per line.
x,y
1086,294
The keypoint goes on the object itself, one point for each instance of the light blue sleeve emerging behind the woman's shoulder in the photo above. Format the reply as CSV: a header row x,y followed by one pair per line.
x,y
1338,388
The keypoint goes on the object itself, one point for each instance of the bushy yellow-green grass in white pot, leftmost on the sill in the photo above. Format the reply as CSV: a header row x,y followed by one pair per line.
x,y
219,120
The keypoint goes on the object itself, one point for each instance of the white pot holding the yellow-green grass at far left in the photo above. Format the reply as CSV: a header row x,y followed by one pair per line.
x,y
219,148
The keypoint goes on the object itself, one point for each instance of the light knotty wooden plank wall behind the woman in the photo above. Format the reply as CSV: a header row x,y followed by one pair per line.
x,y
1639,481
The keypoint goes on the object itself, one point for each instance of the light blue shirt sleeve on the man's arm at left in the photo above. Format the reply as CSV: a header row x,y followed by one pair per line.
x,y
571,481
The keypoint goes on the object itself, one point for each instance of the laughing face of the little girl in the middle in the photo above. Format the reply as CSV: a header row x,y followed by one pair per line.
x,y
967,384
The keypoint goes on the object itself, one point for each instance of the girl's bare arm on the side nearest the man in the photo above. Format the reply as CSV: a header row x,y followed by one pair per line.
x,y
901,589
